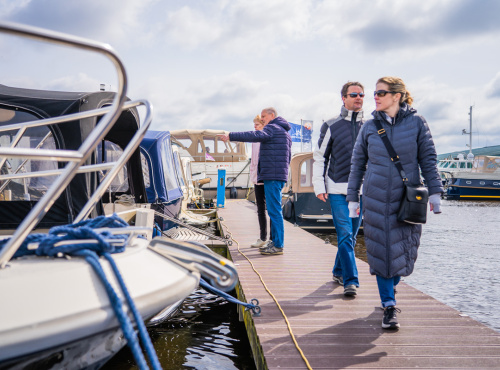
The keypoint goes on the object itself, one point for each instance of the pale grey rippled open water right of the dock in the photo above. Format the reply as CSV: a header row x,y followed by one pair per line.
x,y
459,258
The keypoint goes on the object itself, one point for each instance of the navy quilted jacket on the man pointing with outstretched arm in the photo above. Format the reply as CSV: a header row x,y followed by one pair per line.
x,y
275,149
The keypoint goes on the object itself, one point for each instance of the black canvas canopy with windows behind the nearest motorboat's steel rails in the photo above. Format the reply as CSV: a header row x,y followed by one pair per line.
x,y
31,105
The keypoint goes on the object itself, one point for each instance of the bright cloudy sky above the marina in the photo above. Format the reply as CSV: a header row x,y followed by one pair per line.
x,y
215,64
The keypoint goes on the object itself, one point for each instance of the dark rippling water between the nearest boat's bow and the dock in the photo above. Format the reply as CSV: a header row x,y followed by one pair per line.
x,y
205,334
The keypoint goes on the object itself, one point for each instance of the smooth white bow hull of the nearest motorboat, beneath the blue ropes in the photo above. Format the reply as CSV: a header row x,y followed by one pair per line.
x,y
67,302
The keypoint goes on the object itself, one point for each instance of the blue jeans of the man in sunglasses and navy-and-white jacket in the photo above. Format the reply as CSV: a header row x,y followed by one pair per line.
x,y
347,230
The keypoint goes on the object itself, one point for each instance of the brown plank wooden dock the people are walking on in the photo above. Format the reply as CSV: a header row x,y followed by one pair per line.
x,y
337,332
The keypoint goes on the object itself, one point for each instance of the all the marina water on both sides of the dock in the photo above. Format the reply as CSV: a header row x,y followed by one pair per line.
x,y
458,264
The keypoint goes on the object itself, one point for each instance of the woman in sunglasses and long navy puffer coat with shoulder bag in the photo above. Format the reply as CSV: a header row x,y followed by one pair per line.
x,y
391,245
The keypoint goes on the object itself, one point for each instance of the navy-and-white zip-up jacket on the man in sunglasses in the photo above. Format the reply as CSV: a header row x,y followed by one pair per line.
x,y
332,156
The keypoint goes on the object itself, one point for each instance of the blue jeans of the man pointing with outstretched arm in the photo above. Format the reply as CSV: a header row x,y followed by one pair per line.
x,y
272,189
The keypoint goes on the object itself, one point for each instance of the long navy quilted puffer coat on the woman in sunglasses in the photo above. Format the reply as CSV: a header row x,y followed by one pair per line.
x,y
391,245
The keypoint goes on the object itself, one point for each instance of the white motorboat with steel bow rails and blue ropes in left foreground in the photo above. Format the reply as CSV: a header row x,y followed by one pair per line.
x,y
64,302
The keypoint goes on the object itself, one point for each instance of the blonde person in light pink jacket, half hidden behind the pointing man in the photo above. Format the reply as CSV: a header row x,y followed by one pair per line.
x,y
260,197
